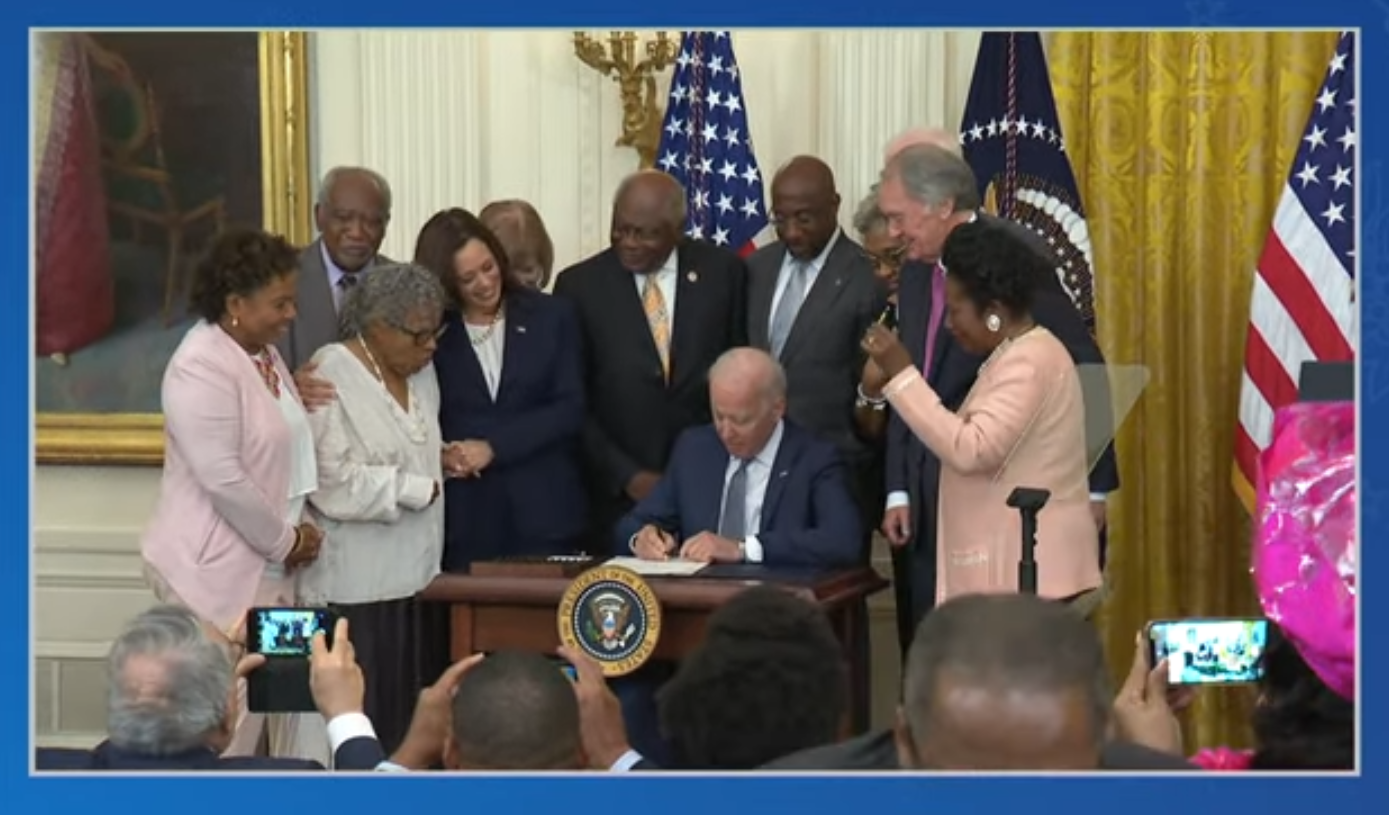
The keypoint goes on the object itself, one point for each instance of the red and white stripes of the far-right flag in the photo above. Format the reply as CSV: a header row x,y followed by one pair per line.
x,y
1304,310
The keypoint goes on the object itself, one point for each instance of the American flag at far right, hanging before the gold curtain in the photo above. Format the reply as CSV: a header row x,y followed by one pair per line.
x,y
1305,288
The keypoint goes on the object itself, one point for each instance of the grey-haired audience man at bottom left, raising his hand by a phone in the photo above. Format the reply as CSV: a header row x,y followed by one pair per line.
x,y
176,705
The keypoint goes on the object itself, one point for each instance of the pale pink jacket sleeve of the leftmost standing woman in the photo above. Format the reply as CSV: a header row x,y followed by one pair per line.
x,y
203,410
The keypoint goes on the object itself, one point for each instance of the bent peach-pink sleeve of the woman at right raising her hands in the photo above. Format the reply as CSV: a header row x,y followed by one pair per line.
x,y
995,417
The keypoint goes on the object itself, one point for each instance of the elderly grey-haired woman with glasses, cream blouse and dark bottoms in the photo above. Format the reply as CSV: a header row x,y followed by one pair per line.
x,y
380,481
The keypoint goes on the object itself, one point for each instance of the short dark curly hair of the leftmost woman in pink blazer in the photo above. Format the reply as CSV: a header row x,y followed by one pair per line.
x,y
241,262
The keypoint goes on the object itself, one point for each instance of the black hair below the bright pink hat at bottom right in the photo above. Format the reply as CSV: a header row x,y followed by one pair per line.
x,y
1299,723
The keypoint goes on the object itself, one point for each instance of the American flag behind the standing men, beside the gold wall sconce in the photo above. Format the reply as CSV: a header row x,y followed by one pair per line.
x,y
708,148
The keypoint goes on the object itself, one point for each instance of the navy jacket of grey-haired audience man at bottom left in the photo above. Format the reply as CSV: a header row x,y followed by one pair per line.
x,y
355,756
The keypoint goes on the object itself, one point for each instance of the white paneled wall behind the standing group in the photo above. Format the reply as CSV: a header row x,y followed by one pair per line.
x,y
460,119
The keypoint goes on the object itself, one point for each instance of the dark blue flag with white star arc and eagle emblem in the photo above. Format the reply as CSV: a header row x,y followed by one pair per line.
x,y
1012,138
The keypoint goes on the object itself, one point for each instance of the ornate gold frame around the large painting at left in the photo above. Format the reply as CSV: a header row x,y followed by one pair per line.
x,y
138,439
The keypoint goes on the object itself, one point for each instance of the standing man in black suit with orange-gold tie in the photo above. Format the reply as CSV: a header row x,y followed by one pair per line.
x,y
656,310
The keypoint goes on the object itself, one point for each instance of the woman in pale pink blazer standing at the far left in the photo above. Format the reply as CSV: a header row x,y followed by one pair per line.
x,y
228,531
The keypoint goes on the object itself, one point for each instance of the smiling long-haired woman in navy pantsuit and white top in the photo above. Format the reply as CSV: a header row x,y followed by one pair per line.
x,y
512,402
